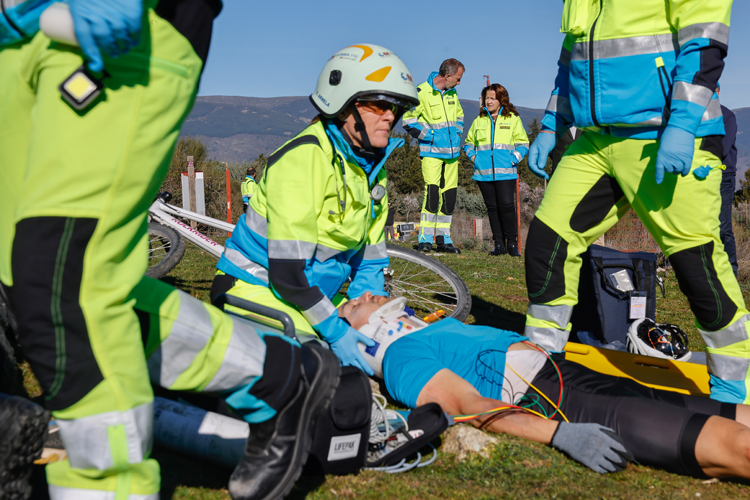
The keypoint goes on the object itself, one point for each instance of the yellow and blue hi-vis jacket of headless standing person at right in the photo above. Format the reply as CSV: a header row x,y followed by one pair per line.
x,y
629,67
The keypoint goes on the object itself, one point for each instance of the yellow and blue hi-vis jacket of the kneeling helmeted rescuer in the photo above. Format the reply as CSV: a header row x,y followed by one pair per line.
x,y
298,240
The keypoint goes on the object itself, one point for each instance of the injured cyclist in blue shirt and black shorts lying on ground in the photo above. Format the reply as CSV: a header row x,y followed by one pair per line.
x,y
469,369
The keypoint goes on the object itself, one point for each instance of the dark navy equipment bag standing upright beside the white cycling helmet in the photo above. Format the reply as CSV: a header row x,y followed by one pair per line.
x,y
603,308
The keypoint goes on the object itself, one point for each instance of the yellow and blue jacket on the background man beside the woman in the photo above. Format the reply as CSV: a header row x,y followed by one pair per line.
x,y
437,122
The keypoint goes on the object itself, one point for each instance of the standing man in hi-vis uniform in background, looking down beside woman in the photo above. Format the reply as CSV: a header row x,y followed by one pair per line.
x,y
438,123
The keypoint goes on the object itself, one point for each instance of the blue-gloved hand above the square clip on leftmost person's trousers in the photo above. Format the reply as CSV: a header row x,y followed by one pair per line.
x,y
109,26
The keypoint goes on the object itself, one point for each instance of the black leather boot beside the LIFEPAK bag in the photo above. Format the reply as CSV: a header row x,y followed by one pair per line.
x,y
277,449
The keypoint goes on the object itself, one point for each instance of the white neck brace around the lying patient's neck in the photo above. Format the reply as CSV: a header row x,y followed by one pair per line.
x,y
386,325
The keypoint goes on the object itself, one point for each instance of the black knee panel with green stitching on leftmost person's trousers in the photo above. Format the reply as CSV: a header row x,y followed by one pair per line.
x,y
47,264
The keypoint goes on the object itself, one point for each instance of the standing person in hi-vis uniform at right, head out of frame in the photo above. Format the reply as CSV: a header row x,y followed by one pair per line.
x,y
638,77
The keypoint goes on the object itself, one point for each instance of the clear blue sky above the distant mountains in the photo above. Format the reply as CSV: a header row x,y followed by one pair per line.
x,y
277,48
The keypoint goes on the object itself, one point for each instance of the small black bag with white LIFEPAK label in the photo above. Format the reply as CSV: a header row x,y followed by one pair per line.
x,y
342,431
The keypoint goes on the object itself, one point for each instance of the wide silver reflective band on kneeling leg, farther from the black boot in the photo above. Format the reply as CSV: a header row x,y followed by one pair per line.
x,y
190,334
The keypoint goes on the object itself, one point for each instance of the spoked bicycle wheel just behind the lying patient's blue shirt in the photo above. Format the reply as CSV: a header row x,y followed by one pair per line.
x,y
427,284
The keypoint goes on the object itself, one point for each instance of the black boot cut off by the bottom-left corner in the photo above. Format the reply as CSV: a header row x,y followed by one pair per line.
x,y
23,427
